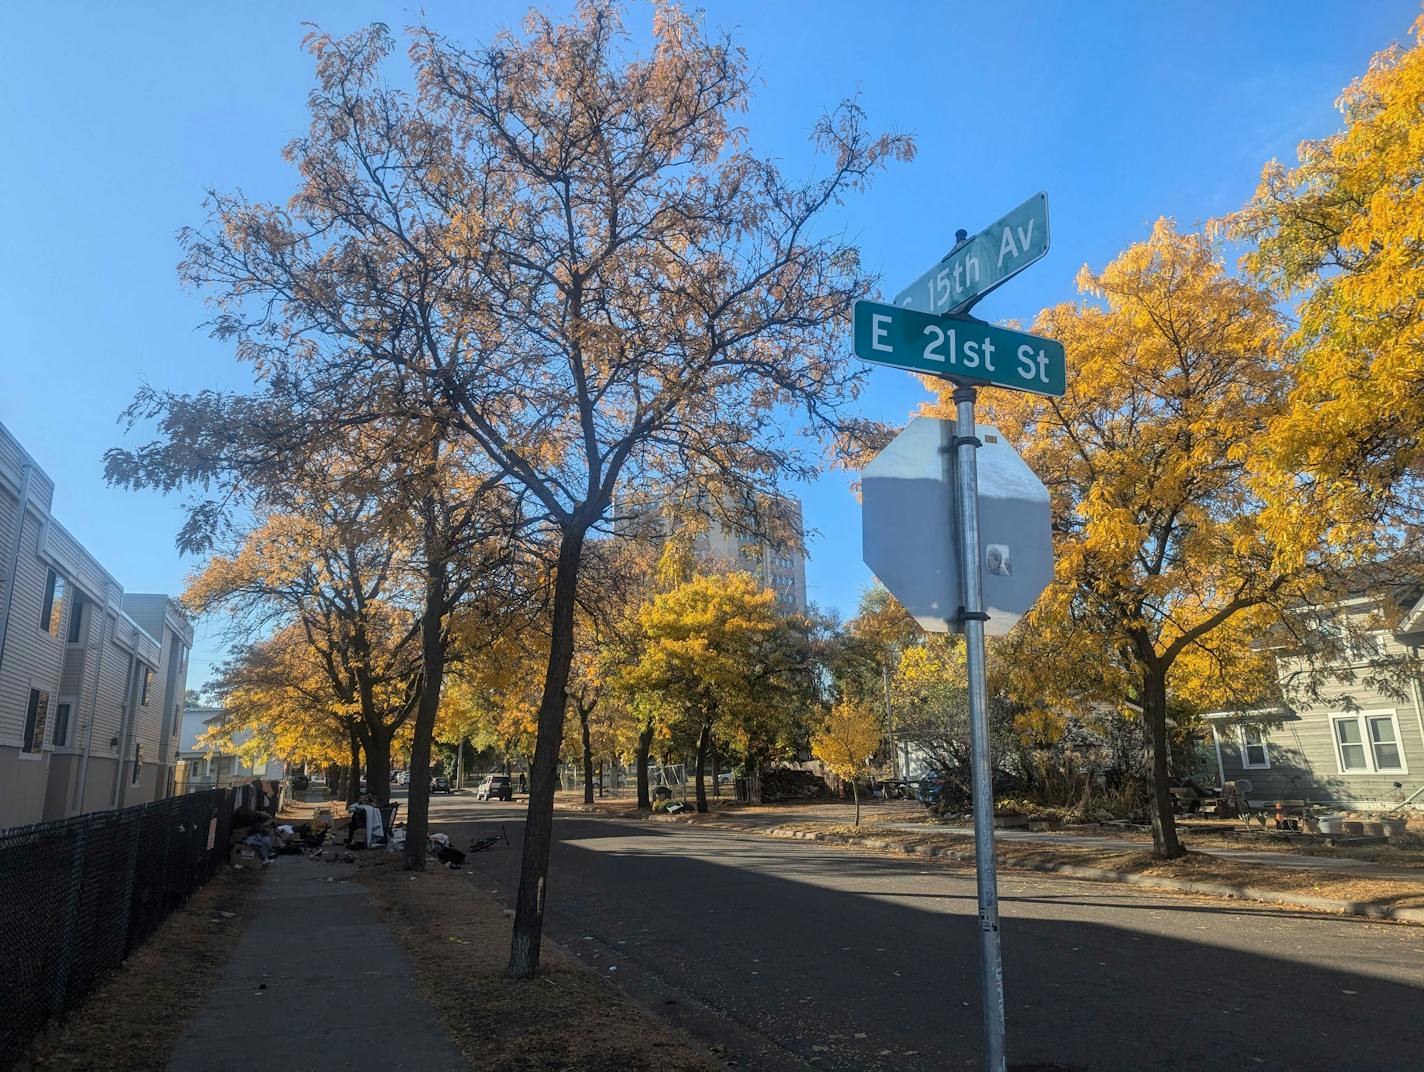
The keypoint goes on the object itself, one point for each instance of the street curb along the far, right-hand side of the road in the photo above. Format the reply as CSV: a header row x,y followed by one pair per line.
x,y
1248,893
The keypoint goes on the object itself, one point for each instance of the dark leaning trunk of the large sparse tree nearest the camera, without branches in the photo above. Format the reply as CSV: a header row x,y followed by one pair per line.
x,y
539,825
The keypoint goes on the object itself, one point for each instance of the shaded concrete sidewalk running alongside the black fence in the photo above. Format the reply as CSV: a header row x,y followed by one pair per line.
x,y
315,984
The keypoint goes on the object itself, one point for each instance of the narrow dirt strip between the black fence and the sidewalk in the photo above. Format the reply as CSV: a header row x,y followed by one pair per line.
x,y
133,1020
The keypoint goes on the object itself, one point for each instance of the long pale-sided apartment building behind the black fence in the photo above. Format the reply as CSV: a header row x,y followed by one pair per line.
x,y
92,678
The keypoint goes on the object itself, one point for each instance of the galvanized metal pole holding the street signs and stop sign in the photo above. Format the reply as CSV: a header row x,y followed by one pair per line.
x,y
972,616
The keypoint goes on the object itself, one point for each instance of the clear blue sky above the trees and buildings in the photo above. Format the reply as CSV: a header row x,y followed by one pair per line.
x,y
117,117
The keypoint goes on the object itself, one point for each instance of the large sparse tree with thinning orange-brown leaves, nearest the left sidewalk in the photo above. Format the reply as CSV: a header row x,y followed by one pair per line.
x,y
576,251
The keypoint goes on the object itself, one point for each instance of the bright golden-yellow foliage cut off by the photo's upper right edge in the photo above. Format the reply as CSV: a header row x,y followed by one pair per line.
x,y
1342,230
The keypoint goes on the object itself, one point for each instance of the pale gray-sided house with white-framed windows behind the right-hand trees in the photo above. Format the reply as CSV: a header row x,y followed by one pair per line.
x,y
1359,745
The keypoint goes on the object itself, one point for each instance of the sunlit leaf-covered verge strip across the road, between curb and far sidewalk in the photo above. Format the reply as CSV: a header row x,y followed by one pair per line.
x,y
1194,866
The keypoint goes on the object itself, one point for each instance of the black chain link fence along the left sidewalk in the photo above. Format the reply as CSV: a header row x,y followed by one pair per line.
x,y
80,895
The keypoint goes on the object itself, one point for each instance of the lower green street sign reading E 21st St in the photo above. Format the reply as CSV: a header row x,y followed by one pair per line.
x,y
959,350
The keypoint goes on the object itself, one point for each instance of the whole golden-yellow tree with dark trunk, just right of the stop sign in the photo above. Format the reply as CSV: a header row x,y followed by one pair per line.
x,y
1164,569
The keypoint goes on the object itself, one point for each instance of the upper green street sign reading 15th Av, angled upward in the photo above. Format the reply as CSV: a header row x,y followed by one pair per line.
x,y
1000,251
